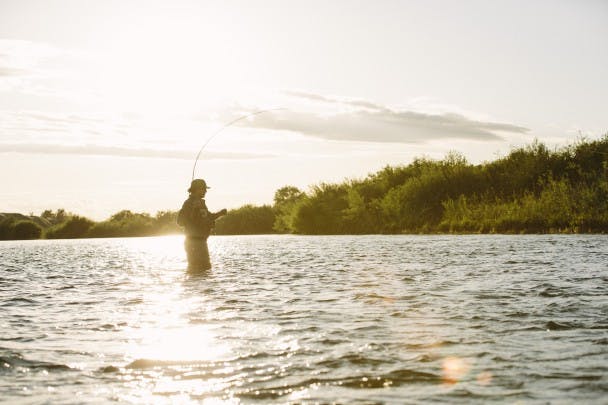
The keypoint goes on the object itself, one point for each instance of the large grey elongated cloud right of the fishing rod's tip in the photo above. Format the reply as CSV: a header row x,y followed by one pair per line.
x,y
364,121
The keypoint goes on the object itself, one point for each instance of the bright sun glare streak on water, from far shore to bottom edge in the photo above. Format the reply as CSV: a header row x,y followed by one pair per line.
x,y
170,348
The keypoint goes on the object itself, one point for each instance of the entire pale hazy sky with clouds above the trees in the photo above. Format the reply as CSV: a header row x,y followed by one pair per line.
x,y
105,104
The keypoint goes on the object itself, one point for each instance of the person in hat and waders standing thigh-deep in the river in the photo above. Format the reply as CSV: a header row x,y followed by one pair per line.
x,y
198,223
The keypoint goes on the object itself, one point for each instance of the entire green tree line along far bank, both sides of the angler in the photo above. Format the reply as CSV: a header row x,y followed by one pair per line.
x,y
531,190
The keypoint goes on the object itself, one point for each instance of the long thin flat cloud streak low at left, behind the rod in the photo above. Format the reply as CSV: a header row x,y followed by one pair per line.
x,y
105,150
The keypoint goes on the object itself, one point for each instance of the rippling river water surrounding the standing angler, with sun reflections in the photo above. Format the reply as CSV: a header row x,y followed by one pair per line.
x,y
294,319
